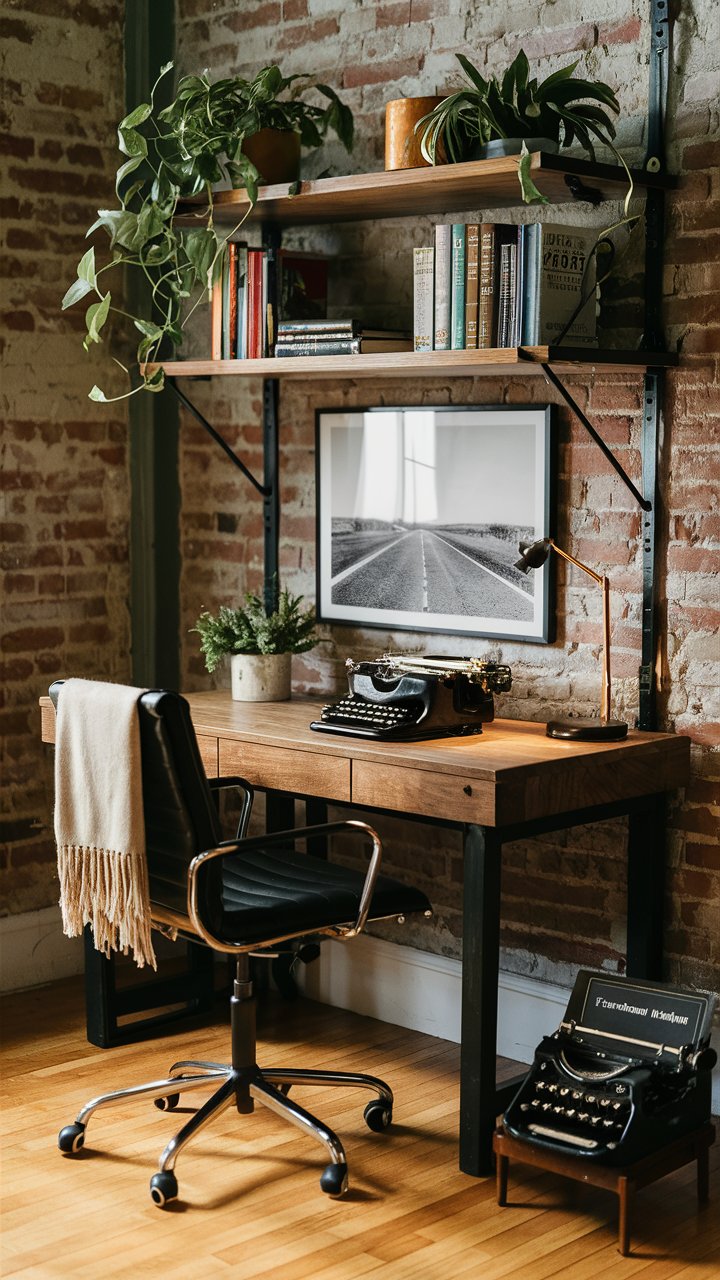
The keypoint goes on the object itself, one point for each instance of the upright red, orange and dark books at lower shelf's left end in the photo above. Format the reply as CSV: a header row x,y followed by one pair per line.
x,y
259,289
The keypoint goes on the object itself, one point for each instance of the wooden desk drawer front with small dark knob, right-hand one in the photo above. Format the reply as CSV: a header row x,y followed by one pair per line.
x,y
434,796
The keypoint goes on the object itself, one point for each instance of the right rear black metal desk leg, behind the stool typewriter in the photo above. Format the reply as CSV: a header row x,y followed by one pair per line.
x,y
646,888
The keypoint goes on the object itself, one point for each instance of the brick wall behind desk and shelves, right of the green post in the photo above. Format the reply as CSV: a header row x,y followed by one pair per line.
x,y
564,894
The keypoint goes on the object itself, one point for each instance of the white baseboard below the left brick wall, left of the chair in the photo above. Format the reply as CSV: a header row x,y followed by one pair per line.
x,y
34,950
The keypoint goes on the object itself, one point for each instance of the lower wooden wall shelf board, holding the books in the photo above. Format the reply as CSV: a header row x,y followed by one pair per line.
x,y
413,364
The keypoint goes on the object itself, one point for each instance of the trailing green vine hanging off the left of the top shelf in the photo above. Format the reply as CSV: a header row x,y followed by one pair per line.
x,y
172,154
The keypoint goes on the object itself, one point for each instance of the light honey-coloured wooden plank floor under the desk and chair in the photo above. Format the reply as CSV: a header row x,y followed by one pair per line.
x,y
250,1204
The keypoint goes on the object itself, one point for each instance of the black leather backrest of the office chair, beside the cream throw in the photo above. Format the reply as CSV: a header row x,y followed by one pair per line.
x,y
181,819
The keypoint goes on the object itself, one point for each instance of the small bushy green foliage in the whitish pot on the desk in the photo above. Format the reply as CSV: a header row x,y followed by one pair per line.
x,y
252,629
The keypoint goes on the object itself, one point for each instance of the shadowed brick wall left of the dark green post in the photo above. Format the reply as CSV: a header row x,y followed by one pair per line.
x,y
65,460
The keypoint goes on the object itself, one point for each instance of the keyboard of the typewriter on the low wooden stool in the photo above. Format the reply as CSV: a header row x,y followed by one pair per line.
x,y
575,1113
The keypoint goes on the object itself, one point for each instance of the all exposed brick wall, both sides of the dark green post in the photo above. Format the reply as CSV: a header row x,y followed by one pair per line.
x,y
66,460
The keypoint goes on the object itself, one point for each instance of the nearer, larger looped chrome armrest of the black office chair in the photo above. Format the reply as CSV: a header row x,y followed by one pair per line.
x,y
236,848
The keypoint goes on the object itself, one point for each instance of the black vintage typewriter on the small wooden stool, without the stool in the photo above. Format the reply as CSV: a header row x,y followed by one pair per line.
x,y
627,1072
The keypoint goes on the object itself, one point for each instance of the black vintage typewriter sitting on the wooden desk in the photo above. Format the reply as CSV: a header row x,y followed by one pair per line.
x,y
402,697
